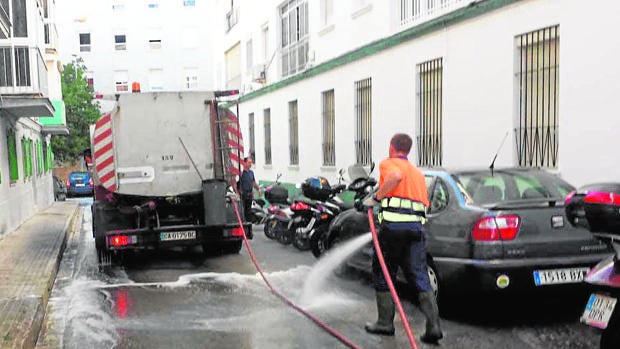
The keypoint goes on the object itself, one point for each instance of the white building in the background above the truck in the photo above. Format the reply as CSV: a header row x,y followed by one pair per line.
x,y
163,45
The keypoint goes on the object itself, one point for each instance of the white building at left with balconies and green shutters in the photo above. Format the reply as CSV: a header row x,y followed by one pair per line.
x,y
31,109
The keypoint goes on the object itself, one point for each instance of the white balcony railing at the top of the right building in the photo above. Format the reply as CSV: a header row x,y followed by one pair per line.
x,y
414,12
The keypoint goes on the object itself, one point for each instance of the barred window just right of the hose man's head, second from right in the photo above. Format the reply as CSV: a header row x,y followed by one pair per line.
x,y
429,112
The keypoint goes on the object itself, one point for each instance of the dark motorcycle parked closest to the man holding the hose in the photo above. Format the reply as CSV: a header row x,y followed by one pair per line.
x,y
348,223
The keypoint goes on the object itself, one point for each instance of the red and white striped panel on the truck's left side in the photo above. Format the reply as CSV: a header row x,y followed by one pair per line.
x,y
103,144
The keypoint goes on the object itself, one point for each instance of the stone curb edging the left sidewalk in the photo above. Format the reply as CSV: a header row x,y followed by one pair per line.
x,y
33,334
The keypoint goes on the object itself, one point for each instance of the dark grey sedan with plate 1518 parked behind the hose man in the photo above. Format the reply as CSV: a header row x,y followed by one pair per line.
x,y
501,231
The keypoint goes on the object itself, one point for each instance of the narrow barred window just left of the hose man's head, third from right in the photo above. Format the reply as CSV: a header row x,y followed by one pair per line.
x,y
363,121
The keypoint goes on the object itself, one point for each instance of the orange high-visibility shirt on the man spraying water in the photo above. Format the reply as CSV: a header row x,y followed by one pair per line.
x,y
412,185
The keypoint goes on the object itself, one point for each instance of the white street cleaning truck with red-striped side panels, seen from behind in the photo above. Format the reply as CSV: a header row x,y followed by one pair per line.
x,y
163,165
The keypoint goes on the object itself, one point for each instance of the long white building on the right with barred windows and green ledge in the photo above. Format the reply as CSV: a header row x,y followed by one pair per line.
x,y
325,84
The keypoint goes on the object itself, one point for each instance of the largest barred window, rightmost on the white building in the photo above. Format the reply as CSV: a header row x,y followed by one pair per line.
x,y
537,93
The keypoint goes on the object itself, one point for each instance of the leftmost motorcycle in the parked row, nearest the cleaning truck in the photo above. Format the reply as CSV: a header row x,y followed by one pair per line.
x,y
278,212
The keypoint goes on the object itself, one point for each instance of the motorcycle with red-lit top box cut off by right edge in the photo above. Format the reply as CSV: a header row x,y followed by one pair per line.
x,y
597,208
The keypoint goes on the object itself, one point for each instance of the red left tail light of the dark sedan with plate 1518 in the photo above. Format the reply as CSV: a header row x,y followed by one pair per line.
x,y
502,227
